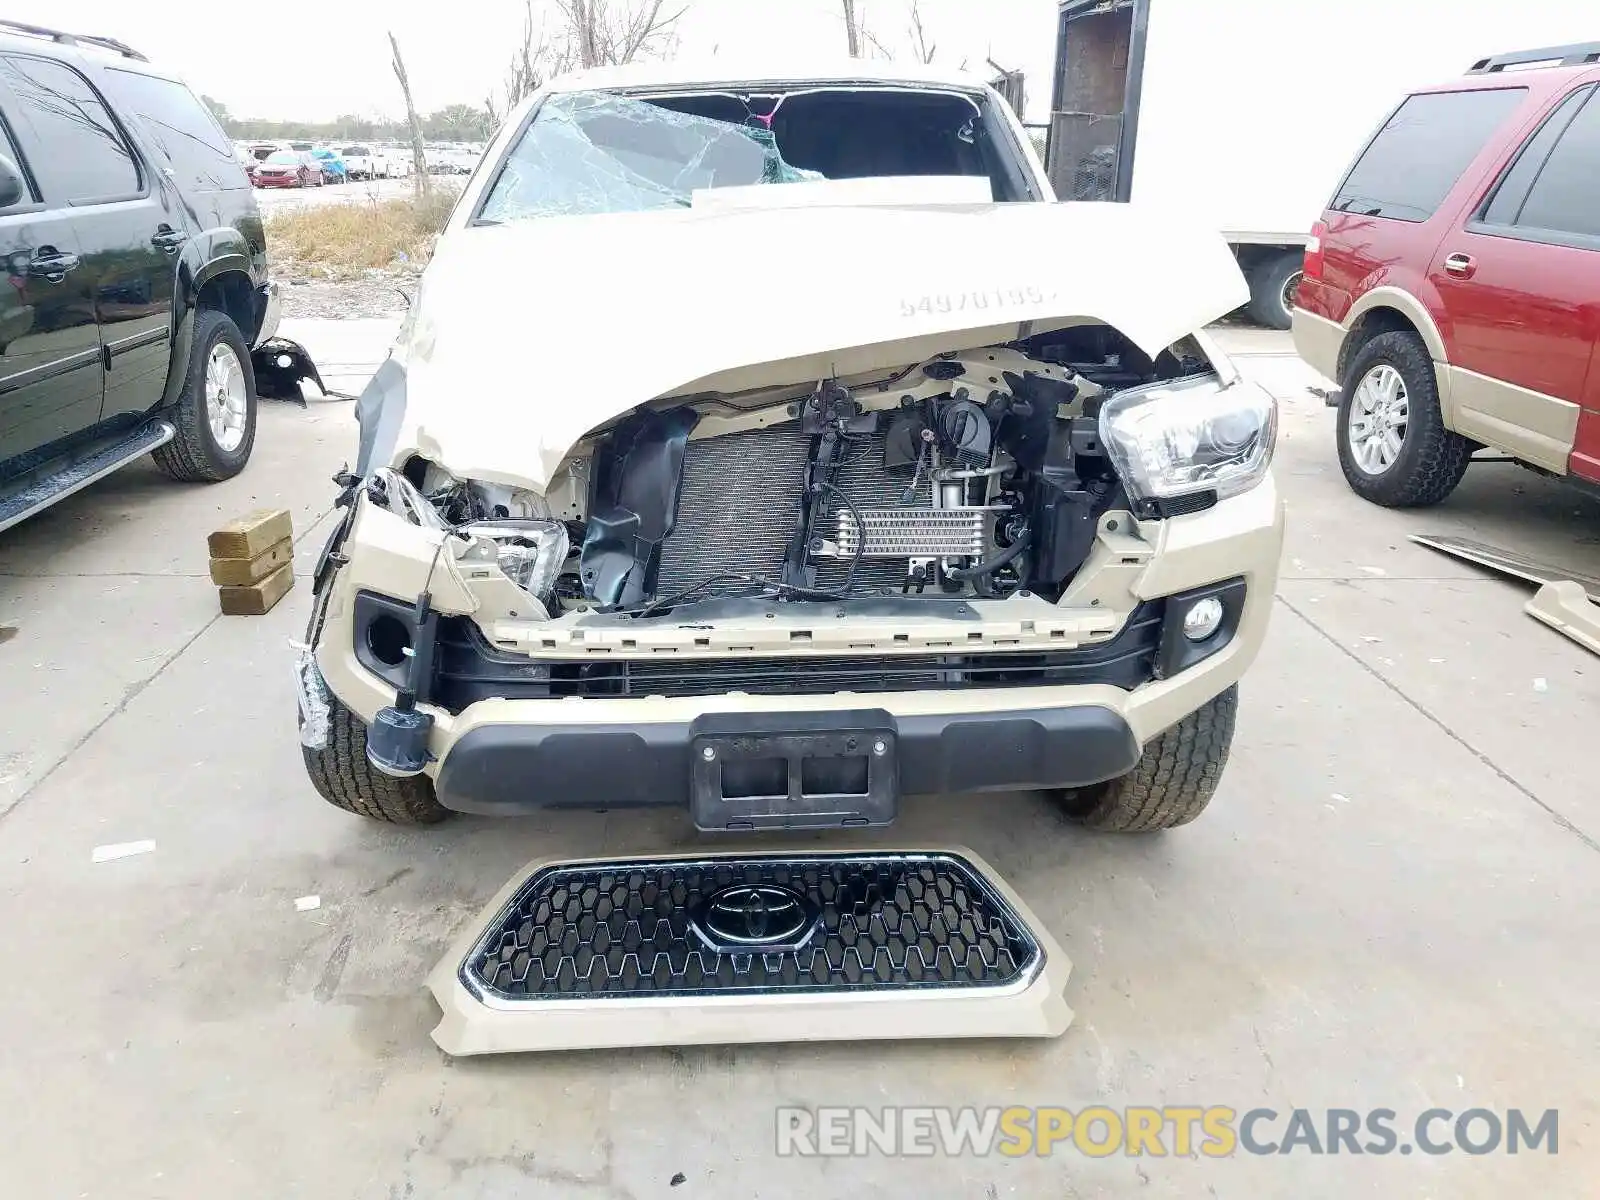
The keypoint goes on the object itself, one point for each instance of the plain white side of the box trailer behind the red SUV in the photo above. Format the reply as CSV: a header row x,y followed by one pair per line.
x,y
1254,110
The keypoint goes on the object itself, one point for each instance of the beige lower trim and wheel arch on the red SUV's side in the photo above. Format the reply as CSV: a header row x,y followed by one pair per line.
x,y
1518,422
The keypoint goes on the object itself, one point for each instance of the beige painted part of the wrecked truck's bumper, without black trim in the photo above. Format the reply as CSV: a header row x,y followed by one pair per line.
x,y
1239,537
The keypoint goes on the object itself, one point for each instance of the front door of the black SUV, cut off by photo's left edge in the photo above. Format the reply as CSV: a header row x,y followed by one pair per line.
x,y
50,356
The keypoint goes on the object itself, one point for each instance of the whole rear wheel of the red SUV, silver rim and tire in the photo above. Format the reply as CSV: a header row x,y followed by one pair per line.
x,y
1394,447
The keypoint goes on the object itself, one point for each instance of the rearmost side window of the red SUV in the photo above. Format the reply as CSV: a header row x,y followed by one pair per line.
x,y
1409,169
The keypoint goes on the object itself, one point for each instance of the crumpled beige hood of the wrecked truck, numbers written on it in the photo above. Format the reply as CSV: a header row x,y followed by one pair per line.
x,y
529,335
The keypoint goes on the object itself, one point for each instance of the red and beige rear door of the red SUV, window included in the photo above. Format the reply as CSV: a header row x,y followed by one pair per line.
x,y
1519,286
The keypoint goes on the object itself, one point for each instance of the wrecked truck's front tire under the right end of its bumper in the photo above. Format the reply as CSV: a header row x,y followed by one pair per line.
x,y
1174,780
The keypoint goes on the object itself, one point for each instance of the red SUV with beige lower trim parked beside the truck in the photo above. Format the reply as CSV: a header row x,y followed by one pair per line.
x,y
1454,286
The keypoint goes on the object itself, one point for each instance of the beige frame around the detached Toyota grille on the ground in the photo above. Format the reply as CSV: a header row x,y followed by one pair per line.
x,y
482,1026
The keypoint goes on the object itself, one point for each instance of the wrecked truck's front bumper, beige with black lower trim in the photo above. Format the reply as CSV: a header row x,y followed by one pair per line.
x,y
506,756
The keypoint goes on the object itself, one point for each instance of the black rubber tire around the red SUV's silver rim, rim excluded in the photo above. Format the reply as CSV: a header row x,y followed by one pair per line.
x,y
1431,460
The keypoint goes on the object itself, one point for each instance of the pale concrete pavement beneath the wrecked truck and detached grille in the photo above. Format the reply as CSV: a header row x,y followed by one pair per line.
x,y
1393,903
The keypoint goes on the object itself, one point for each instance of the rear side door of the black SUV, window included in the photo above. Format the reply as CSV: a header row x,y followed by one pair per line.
x,y
122,214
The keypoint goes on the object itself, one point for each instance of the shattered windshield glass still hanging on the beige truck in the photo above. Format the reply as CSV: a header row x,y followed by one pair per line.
x,y
588,153
